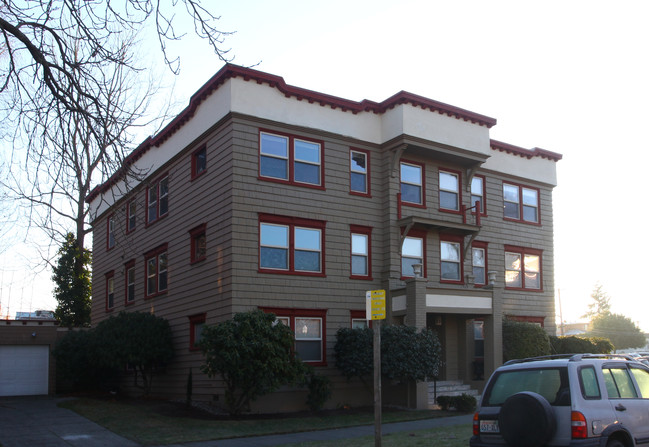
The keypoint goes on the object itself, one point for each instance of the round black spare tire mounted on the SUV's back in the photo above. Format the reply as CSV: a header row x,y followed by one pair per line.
x,y
526,420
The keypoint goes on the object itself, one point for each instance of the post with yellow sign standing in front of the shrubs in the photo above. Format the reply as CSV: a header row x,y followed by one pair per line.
x,y
375,311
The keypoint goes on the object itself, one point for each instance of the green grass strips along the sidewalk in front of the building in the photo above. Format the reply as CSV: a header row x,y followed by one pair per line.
x,y
157,423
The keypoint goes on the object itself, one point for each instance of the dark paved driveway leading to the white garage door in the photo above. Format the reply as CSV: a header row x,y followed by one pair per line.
x,y
39,422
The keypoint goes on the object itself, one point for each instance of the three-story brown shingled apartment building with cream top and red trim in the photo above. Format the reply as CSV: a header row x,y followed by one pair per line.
x,y
262,195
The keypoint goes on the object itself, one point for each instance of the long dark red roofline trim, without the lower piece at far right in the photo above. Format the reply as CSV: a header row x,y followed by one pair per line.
x,y
233,71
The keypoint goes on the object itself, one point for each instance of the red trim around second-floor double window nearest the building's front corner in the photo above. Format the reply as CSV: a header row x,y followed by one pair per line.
x,y
292,222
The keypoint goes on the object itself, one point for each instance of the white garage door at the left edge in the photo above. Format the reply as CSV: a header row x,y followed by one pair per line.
x,y
24,370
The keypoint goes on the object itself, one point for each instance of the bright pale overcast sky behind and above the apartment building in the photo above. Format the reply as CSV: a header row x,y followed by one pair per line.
x,y
567,76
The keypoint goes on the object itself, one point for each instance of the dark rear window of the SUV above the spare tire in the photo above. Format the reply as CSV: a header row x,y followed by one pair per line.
x,y
551,383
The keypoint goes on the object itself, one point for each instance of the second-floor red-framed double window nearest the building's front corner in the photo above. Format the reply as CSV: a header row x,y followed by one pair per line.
x,y
291,245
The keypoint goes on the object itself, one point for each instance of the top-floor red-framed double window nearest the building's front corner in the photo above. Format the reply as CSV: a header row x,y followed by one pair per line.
x,y
290,159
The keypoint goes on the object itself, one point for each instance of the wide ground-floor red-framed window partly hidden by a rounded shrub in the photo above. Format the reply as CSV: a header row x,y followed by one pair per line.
x,y
308,327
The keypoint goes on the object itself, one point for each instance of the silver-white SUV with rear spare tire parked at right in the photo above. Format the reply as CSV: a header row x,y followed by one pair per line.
x,y
570,400
